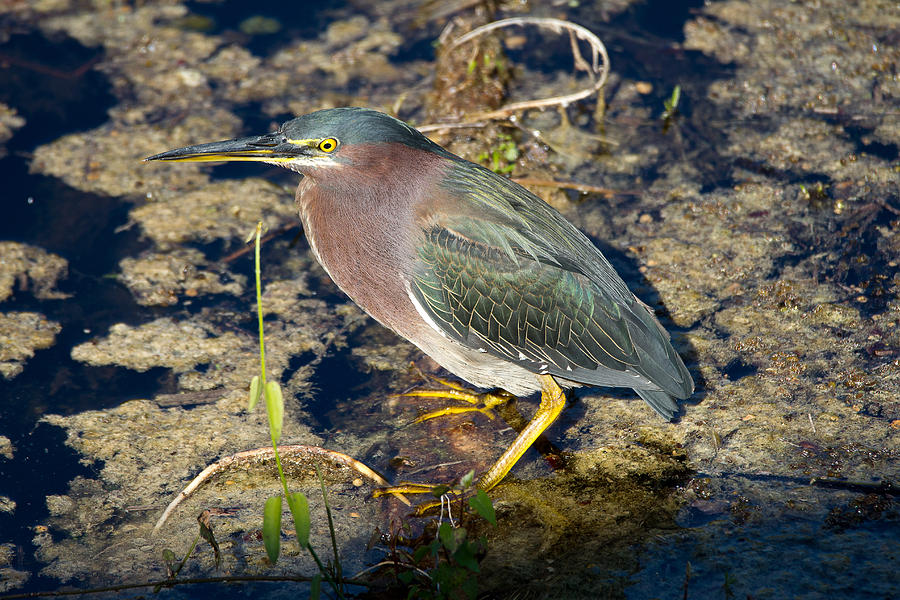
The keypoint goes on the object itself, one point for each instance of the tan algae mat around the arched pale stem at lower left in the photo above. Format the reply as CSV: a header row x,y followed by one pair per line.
x,y
148,454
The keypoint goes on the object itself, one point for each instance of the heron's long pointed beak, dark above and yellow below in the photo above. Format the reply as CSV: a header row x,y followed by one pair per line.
x,y
271,147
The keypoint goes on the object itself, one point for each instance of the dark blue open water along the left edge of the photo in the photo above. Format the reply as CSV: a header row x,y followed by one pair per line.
x,y
51,84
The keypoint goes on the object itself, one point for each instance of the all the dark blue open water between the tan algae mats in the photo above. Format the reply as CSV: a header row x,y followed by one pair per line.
x,y
45,80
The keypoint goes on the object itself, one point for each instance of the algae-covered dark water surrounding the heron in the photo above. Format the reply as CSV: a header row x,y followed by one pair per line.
x,y
761,222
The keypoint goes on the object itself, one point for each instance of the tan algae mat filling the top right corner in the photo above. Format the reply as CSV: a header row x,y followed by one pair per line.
x,y
773,43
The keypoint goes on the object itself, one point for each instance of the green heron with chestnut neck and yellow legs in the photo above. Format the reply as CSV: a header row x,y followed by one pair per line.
x,y
479,273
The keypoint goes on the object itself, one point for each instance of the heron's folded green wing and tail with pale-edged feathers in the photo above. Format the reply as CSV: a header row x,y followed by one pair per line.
x,y
510,276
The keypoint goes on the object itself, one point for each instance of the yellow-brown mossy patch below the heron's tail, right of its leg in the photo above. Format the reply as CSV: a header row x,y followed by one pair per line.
x,y
610,495
